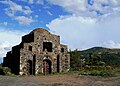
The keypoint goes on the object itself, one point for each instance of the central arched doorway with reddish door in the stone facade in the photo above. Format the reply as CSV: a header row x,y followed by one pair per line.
x,y
47,66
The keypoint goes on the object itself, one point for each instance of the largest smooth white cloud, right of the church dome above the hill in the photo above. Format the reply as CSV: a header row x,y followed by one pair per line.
x,y
85,32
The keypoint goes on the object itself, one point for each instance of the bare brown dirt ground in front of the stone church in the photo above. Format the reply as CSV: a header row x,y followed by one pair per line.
x,y
59,80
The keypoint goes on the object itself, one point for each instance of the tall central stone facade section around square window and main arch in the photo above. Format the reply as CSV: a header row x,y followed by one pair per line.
x,y
40,38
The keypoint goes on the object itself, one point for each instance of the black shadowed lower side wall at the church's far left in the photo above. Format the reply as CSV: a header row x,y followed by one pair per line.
x,y
12,59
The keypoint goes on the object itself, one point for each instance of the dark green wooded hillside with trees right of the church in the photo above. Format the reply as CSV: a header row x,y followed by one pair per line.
x,y
95,61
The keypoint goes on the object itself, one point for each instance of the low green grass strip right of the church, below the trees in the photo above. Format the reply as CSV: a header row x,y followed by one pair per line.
x,y
97,71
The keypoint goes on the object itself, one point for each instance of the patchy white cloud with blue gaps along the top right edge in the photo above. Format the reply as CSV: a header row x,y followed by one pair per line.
x,y
81,7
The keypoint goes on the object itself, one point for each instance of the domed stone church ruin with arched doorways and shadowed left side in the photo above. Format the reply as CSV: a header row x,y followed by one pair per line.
x,y
39,52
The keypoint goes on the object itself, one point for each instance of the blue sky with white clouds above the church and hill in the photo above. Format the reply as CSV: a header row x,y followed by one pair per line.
x,y
81,24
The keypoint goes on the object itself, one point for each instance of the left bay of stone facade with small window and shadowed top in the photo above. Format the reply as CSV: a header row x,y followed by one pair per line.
x,y
26,53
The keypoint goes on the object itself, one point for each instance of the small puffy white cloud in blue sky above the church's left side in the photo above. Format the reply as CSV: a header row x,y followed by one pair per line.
x,y
24,20
